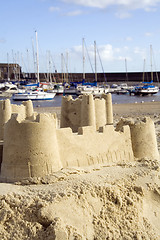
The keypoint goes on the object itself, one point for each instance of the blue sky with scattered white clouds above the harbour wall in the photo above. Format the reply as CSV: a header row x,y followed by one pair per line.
x,y
125,34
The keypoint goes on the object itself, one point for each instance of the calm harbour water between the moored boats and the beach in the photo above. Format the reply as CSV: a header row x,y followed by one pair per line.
x,y
126,98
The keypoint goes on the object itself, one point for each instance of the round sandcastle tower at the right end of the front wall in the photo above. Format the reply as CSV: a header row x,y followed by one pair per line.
x,y
143,137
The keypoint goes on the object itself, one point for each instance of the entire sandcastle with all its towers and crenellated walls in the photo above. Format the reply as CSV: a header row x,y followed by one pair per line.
x,y
33,146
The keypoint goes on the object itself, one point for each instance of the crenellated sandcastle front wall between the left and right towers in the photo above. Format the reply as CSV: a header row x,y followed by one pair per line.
x,y
88,147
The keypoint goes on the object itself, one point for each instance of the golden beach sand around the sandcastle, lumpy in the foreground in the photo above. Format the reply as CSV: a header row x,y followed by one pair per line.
x,y
99,202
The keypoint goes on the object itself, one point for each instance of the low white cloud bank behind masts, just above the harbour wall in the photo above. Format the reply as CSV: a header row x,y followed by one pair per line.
x,y
111,57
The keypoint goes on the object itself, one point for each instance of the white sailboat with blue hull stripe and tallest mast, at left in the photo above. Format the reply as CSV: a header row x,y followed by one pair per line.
x,y
36,93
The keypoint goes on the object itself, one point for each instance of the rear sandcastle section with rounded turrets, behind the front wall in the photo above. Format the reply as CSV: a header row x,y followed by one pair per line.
x,y
86,111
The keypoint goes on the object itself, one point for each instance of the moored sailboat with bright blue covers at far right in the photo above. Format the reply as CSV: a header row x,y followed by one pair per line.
x,y
147,88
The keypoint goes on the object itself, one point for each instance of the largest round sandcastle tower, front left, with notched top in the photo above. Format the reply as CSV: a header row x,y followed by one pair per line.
x,y
30,148
